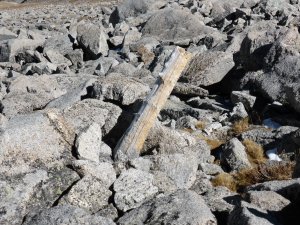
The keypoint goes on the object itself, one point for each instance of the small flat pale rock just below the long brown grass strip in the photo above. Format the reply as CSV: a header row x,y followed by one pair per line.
x,y
267,200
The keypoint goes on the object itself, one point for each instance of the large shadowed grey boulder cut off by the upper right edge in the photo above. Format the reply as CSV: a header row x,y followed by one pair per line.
x,y
280,82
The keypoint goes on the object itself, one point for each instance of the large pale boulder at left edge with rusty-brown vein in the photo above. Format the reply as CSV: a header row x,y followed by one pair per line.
x,y
40,140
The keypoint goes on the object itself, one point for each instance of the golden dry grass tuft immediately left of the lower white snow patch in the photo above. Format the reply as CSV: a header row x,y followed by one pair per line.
x,y
255,152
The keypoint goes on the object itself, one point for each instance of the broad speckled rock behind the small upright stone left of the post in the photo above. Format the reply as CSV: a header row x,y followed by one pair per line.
x,y
83,114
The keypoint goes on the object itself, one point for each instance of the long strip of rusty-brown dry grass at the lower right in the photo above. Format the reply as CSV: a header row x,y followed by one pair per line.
x,y
262,173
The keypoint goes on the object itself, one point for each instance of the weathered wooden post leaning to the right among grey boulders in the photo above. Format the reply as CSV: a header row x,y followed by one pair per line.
x,y
131,143
